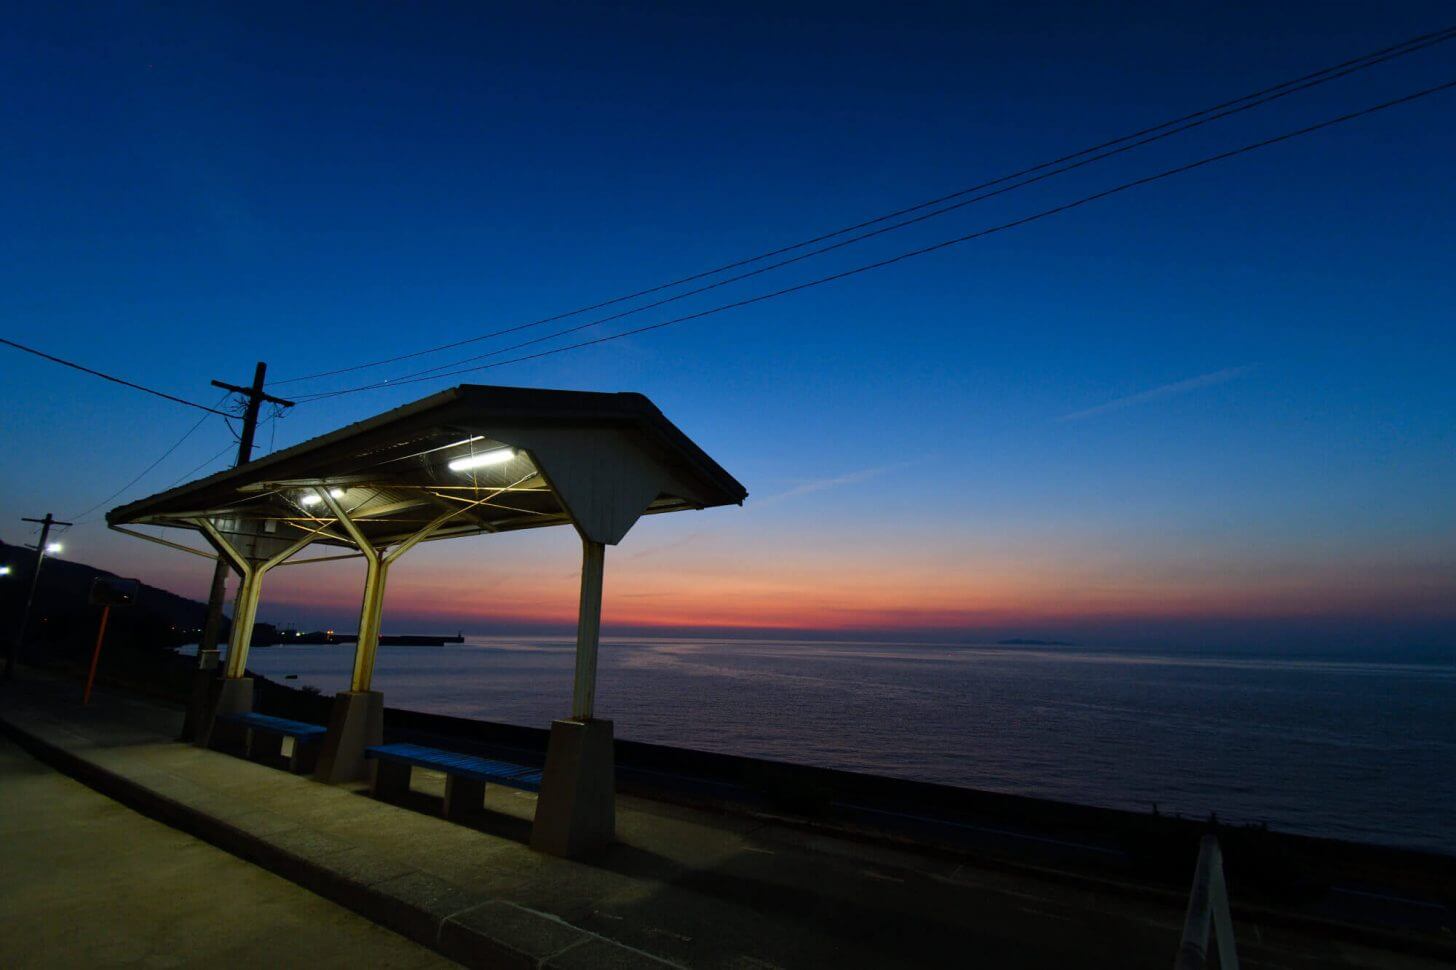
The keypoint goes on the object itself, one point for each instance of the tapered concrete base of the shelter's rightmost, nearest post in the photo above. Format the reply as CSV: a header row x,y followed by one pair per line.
x,y
577,809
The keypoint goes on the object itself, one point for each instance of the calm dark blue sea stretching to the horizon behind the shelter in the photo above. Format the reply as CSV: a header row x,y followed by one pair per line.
x,y
1345,746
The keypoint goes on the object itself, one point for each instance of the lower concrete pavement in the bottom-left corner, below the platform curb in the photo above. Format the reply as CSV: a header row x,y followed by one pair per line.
x,y
90,883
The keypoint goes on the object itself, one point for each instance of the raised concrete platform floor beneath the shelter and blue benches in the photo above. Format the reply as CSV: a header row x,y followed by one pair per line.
x,y
688,888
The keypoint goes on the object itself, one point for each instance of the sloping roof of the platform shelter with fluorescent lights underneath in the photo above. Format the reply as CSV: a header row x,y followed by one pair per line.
x,y
542,458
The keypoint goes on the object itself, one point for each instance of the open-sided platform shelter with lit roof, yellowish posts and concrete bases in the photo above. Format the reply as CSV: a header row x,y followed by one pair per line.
x,y
470,461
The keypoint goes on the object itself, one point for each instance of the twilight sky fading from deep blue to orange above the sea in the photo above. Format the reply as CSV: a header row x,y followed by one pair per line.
x,y
1215,409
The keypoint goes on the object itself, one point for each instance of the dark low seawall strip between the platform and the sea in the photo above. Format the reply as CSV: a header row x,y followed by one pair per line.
x,y
1320,883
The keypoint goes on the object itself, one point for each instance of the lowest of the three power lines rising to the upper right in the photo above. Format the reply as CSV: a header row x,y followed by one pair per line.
x,y
922,251
